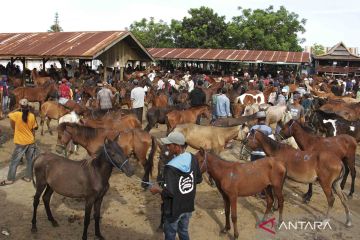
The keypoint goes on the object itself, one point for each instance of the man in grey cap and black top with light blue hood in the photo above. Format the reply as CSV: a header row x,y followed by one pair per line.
x,y
181,174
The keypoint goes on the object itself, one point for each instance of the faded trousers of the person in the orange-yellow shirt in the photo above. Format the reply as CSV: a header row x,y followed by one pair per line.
x,y
18,153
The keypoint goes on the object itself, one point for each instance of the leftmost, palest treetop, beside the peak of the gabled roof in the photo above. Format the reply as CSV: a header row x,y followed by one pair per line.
x,y
152,34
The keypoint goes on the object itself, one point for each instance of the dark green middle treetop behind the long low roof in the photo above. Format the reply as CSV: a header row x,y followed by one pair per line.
x,y
203,29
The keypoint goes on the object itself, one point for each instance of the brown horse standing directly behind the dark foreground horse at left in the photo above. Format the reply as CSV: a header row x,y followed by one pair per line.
x,y
133,141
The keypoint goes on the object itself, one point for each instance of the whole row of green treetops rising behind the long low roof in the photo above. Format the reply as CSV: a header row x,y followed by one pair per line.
x,y
254,29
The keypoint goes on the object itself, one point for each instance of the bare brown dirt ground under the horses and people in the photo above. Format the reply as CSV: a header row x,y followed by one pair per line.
x,y
129,212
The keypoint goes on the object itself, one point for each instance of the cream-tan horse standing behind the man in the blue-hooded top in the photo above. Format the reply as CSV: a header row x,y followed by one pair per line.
x,y
210,137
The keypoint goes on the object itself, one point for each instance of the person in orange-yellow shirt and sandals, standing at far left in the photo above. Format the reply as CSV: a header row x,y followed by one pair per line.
x,y
24,124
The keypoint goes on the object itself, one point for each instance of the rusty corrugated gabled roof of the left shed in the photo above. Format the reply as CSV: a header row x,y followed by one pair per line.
x,y
59,44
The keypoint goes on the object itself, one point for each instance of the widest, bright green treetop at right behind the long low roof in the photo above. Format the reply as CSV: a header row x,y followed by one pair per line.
x,y
266,30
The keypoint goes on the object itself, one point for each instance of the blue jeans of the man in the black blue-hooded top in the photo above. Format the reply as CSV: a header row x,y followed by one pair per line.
x,y
180,226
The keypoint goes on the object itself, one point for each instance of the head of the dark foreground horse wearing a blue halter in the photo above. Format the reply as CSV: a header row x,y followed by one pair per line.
x,y
116,156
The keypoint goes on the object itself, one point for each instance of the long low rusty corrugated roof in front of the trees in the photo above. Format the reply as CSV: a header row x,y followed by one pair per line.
x,y
228,55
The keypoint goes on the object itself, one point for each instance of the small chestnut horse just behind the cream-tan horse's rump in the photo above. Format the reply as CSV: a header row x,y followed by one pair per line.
x,y
186,116
